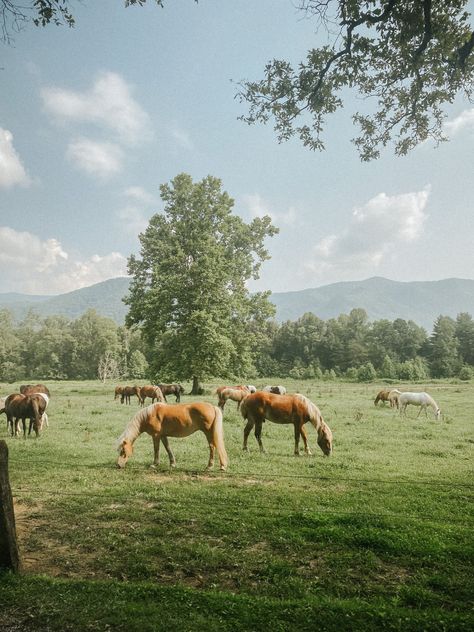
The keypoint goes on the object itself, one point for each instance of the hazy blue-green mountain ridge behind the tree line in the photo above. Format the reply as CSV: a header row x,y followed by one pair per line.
x,y
420,301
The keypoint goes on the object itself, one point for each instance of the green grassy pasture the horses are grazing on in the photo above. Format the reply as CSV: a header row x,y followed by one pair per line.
x,y
379,535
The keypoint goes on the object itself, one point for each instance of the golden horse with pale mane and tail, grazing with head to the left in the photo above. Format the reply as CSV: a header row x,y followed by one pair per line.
x,y
175,420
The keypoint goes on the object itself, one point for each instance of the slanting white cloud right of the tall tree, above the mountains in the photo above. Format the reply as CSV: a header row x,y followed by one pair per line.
x,y
375,232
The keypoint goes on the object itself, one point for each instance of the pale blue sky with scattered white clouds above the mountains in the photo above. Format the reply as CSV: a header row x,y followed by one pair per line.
x,y
94,118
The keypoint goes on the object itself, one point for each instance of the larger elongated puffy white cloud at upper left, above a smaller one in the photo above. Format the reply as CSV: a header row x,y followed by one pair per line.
x,y
109,103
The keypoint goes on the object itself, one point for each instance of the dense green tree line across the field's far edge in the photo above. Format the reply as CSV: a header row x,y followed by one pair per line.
x,y
350,346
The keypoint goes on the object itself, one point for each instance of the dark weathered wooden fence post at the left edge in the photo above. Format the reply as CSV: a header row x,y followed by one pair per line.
x,y
9,554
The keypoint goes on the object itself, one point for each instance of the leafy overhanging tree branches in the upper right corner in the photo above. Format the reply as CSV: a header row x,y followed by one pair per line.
x,y
405,59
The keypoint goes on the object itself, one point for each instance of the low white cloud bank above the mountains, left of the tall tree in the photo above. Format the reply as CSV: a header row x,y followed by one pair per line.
x,y
31,265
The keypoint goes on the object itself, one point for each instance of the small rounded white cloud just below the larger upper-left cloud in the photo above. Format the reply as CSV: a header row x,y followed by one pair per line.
x,y
98,159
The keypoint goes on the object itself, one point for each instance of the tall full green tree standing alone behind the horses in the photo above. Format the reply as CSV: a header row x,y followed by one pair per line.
x,y
189,290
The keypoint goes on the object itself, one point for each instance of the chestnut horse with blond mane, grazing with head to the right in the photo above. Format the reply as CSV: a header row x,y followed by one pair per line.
x,y
285,409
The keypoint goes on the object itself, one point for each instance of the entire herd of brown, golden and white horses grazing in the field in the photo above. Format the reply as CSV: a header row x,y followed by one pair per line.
x,y
162,420
